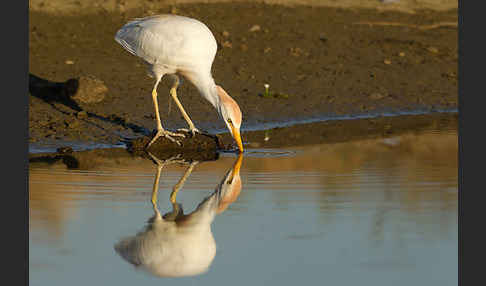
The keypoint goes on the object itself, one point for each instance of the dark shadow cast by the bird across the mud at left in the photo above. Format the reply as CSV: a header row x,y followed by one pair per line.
x,y
62,92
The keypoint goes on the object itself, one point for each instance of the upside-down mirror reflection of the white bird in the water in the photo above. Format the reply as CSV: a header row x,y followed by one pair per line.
x,y
178,244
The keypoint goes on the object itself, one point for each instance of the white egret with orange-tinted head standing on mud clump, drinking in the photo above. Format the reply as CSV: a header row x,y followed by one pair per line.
x,y
177,45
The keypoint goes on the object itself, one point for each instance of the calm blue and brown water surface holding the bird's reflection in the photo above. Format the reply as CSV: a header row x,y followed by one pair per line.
x,y
369,212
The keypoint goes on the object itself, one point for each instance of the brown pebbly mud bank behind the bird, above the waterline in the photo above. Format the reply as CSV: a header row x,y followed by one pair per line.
x,y
318,61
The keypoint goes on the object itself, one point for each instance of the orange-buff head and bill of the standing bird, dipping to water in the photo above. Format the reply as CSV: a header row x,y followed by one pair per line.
x,y
231,114
